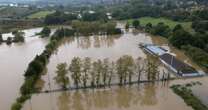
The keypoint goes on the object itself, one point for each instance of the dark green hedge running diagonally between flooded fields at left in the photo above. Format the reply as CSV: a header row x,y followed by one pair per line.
x,y
36,68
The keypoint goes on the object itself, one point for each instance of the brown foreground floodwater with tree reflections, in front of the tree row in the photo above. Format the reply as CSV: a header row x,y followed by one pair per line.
x,y
142,97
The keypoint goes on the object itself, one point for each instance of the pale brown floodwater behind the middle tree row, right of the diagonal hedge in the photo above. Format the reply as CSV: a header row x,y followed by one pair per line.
x,y
94,47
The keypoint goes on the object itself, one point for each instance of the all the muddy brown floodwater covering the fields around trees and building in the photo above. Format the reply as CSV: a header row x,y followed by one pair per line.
x,y
15,58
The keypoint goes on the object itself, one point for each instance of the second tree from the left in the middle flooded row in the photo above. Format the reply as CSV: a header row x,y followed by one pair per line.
x,y
75,69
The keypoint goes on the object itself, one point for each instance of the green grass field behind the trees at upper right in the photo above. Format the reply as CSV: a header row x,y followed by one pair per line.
x,y
170,23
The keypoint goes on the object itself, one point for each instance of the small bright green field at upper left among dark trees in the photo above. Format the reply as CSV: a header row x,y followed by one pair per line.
x,y
40,14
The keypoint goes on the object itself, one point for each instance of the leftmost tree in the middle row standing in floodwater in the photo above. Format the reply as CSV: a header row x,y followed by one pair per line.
x,y
62,78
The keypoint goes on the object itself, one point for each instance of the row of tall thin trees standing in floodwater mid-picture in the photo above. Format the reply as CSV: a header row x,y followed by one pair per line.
x,y
88,73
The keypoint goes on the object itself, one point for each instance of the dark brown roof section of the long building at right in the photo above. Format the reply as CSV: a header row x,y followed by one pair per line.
x,y
177,64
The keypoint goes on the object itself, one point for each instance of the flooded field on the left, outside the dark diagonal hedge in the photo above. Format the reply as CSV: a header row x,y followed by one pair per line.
x,y
14,59
